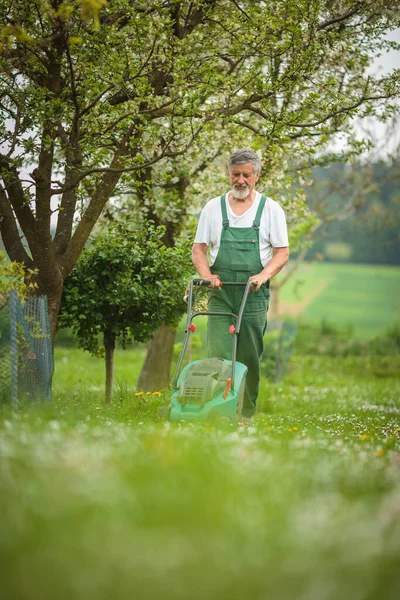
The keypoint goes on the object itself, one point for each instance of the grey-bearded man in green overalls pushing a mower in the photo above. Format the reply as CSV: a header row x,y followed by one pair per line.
x,y
246,236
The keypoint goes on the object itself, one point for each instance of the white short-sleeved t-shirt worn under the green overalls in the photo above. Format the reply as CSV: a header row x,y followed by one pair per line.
x,y
273,229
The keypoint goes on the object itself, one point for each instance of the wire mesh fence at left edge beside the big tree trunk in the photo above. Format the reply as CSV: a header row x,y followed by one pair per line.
x,y
26,353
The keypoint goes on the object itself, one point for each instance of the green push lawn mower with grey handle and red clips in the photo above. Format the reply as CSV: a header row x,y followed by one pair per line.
x,y
211,388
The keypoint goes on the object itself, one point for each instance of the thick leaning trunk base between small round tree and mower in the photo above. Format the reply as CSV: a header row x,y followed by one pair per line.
x,y
155,373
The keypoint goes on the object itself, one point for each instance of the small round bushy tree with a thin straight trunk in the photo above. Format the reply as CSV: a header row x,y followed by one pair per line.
x,y
127,283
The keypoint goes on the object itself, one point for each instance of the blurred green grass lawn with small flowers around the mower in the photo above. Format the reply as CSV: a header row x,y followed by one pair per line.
x,y
102,502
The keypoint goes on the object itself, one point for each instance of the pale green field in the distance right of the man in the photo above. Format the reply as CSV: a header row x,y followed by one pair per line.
x,y
363,297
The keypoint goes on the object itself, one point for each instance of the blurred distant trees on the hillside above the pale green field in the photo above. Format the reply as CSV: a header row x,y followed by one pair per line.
x,y
358,207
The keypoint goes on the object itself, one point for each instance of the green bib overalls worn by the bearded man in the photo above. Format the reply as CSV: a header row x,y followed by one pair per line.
x,y
238,259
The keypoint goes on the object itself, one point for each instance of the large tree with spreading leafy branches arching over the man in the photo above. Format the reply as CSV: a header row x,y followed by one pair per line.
x,y
93,92
